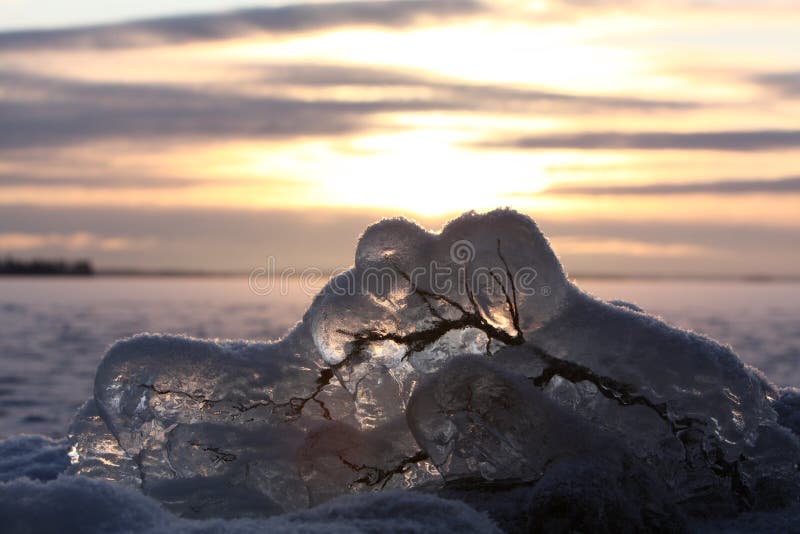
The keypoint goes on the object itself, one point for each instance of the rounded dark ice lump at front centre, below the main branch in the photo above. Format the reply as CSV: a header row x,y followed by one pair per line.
x,y
476,420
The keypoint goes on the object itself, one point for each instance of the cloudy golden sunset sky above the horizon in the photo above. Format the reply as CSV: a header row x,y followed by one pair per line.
x,y
643,137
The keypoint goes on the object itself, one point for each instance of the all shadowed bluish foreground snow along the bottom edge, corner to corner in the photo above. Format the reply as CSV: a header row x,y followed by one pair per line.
x,y
46,503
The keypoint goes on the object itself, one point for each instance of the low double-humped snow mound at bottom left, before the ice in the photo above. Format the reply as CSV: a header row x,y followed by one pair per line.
x,y
82,504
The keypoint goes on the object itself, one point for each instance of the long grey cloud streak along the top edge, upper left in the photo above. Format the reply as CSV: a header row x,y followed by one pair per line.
x,y
274,20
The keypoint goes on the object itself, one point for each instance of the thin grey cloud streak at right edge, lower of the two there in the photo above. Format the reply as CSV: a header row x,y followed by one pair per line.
x,y
724,187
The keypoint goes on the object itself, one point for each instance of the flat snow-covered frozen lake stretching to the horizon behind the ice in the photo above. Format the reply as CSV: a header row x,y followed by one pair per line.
x,y
54,331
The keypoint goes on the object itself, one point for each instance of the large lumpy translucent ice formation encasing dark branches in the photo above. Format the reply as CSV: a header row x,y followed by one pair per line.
x,y
459,363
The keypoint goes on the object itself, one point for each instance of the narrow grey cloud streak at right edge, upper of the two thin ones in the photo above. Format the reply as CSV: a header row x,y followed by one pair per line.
x,y
740,140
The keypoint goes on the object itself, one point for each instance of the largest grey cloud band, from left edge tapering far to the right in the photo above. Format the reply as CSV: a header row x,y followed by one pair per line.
x,y
72,112
